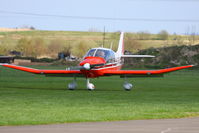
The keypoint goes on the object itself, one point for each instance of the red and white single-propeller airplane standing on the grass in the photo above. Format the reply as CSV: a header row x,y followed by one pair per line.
x,y
100,62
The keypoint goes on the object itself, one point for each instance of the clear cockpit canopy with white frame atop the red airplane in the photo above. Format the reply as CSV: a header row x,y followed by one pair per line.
x,y
107,54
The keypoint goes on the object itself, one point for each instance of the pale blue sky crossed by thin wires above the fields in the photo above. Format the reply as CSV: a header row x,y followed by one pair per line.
x,y
175,16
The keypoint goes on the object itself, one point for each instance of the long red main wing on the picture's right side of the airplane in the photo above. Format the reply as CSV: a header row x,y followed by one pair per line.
x,y
143,73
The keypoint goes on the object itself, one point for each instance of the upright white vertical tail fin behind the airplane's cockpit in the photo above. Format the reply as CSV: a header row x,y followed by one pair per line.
x,y
120,50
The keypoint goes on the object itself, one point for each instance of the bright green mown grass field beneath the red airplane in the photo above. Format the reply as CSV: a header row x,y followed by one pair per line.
x,y
33,99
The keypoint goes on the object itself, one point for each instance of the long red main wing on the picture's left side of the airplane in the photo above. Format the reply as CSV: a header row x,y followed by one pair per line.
x,y
57,73
